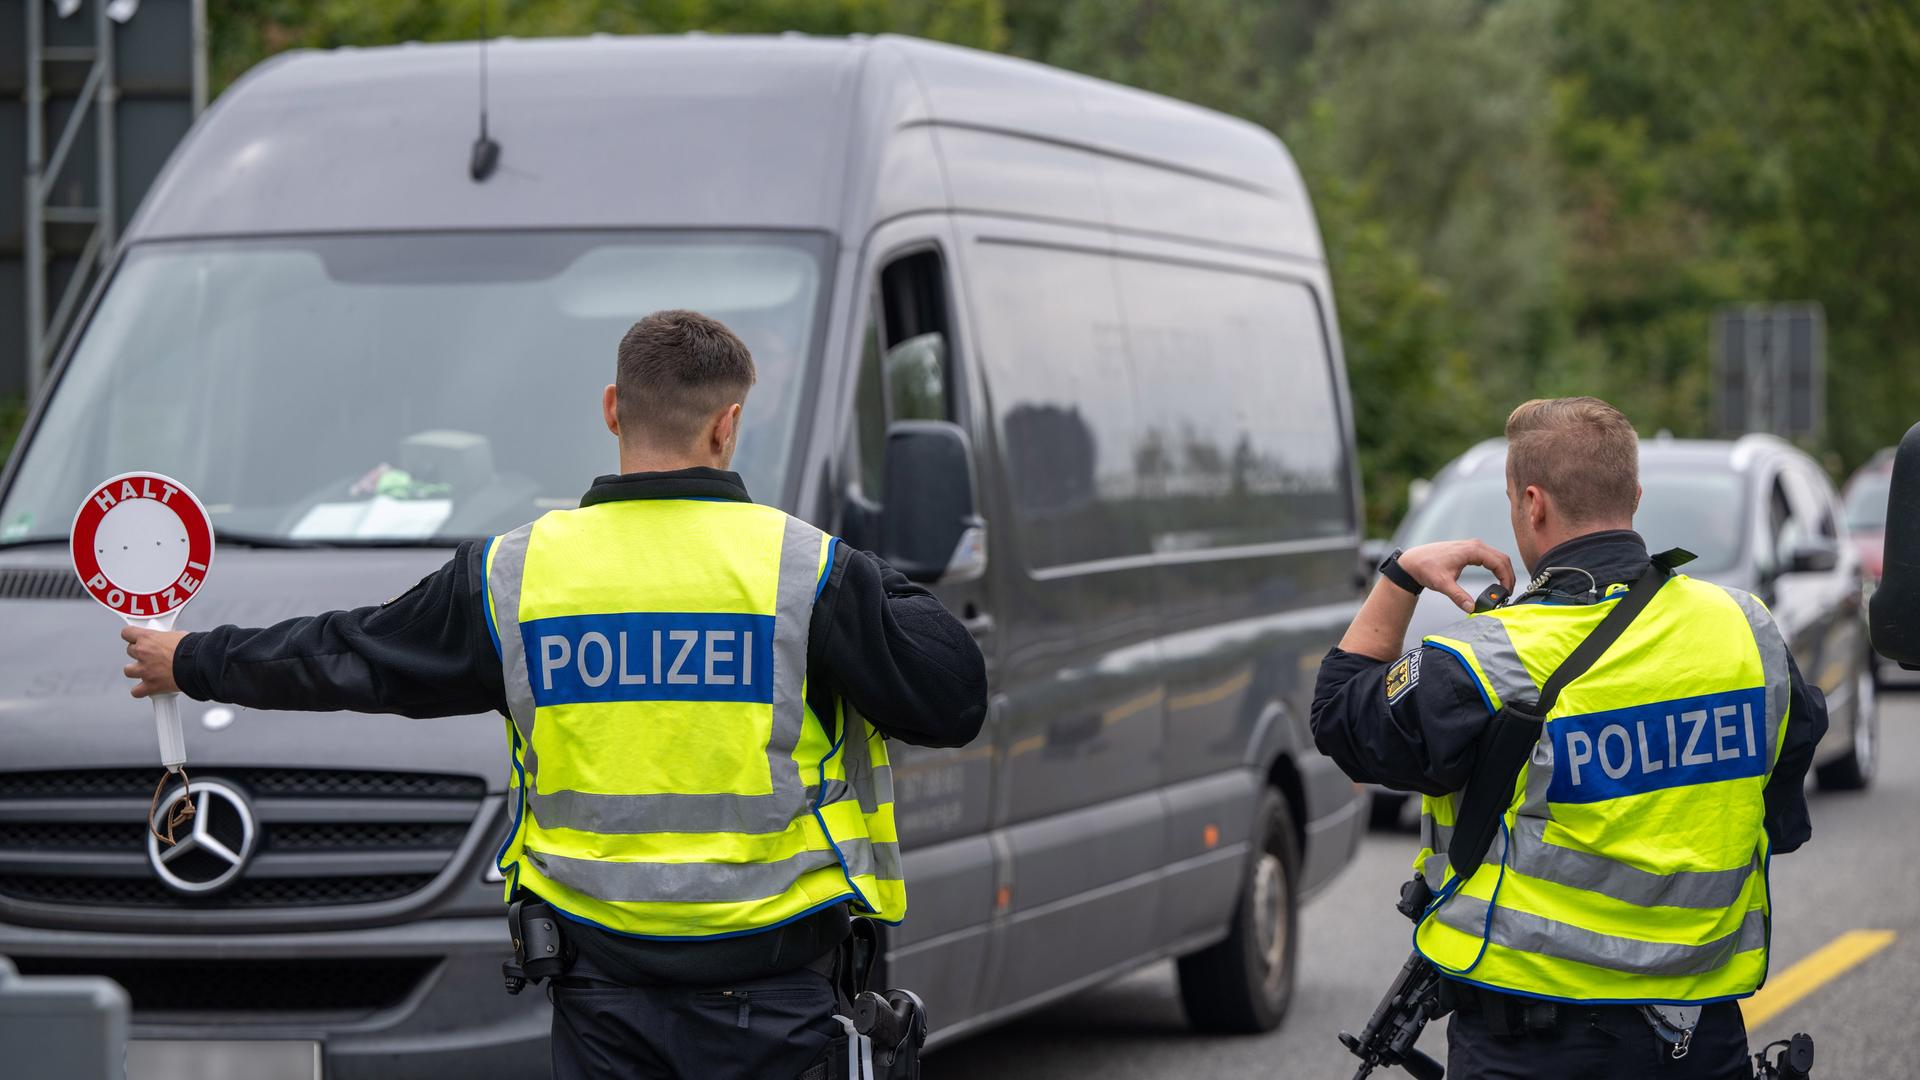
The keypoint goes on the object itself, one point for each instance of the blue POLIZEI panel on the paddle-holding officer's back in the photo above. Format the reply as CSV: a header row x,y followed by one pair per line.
x,y
654,656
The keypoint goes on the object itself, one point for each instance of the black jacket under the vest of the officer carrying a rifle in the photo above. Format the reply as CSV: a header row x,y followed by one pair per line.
x,y
1426,737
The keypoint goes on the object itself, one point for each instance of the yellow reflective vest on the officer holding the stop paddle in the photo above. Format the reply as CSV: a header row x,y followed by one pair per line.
x,y
669,775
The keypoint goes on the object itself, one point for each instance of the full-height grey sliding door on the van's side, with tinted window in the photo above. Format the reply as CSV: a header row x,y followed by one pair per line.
x,y
1082,737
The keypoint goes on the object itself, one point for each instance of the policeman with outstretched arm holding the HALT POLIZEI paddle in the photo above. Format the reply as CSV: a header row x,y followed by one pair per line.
x,y
681,670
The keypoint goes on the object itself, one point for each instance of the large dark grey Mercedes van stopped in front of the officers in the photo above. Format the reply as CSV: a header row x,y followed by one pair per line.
x,y
1065,349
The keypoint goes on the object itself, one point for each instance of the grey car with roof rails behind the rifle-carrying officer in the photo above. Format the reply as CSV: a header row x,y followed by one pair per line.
x,y
1756,512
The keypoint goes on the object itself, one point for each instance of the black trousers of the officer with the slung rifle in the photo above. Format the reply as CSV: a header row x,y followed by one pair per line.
x,y
1606,1044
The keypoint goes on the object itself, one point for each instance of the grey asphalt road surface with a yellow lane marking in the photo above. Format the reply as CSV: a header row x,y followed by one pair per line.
x,y
1861,871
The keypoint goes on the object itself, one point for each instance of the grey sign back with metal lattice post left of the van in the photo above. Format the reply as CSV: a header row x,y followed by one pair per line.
x,y
93,99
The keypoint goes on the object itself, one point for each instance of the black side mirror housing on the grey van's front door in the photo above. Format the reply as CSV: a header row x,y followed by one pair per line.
x,y
930,528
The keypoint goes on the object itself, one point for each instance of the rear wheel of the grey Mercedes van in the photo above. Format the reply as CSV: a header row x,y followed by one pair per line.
x,y
1245,983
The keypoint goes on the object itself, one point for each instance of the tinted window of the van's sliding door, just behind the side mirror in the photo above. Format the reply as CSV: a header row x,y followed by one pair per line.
x,y
1055,355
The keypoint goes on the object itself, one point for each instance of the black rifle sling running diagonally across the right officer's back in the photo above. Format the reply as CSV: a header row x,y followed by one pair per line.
x,y
1510,737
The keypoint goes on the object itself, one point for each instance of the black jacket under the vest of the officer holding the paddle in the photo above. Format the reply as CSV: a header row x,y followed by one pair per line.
x,y
878,641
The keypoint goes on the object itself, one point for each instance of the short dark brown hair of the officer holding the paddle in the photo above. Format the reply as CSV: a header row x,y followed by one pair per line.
x,y
677,372
